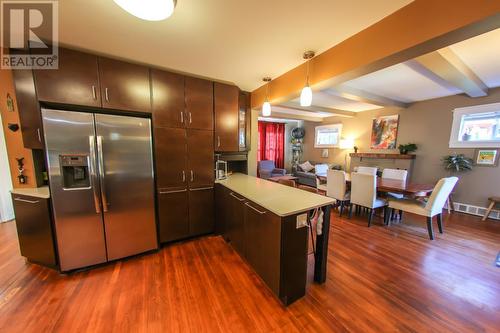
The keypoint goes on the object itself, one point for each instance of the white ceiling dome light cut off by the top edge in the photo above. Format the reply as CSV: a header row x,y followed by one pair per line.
x,y
150,10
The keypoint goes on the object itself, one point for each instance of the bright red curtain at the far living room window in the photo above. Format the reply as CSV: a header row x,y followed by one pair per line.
x,y
271,144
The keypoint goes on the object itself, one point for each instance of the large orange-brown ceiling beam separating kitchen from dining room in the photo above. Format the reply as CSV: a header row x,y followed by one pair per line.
x,y
392,40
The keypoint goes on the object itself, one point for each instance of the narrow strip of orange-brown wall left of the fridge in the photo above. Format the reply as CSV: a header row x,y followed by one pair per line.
x,y
14,140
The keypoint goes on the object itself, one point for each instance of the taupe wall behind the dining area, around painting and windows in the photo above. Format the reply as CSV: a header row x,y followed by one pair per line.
x,y
428,124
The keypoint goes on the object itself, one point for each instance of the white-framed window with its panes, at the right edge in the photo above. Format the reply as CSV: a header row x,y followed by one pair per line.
x,y
476,127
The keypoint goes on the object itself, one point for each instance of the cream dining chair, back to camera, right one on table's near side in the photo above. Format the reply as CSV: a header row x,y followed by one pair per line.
x,y
364,194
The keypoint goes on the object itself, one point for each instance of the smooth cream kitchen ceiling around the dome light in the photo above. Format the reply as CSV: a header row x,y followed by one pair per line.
x,y
230,40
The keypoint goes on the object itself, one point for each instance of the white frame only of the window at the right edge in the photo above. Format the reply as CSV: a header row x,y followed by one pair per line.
x,y
458,114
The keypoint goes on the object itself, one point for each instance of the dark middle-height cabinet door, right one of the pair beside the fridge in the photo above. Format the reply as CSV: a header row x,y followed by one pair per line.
x,y
200,158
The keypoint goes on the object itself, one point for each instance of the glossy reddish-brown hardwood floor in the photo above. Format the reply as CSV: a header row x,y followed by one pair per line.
x,y
380,279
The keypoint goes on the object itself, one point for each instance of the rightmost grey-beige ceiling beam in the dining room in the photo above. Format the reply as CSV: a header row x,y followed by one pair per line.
x,y
449,67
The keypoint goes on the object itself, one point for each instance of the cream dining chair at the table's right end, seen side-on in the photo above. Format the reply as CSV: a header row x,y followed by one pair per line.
x,y
433,207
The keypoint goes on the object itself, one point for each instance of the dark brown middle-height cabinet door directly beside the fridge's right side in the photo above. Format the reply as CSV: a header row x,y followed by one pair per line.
x,y
170,157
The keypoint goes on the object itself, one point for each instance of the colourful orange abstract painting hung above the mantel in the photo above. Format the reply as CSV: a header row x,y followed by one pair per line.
x,y
384,132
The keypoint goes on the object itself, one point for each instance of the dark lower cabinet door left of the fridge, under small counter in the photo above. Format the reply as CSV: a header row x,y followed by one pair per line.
x,y
34,229
